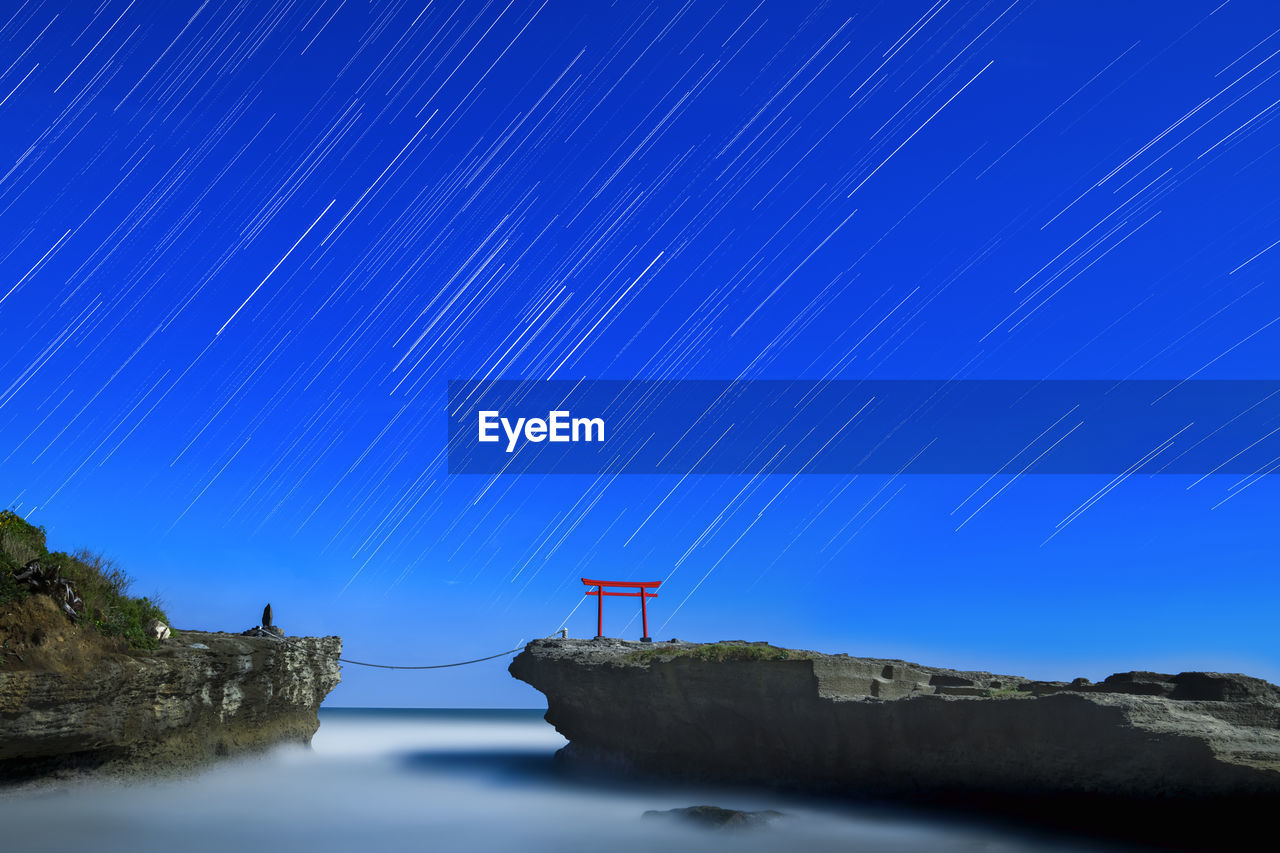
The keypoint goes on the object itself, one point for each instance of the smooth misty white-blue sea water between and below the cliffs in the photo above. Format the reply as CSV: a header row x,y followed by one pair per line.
x,y
442,781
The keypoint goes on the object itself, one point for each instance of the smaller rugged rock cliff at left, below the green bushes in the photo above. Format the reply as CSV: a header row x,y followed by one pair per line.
x,y
198,697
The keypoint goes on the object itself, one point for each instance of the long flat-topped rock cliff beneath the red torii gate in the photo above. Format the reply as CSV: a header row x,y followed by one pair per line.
x,y
1174,758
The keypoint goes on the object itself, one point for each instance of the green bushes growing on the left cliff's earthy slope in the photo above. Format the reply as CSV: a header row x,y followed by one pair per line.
x,y
102,585
